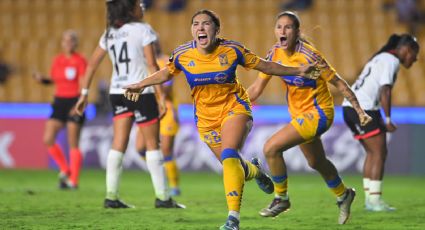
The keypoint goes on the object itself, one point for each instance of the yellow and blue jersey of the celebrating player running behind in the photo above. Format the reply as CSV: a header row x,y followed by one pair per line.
x,y
303,94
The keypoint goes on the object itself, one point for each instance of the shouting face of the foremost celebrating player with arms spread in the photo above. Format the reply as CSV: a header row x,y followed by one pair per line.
x,y
204,31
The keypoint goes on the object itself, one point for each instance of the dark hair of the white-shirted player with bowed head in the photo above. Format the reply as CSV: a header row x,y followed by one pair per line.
x,y
396,41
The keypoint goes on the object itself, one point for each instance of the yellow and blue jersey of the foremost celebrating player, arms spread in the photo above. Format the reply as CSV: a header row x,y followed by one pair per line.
x,y
215,89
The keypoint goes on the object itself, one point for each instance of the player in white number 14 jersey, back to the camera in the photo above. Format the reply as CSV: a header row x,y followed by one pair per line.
x,y
129,45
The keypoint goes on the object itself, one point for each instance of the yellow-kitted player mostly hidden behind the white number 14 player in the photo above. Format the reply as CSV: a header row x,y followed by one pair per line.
x,y
169,126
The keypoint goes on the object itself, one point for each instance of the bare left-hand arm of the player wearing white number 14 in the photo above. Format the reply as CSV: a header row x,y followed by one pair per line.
x,y
94,63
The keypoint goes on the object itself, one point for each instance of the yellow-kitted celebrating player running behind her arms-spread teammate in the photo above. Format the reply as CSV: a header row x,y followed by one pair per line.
x,y
312,110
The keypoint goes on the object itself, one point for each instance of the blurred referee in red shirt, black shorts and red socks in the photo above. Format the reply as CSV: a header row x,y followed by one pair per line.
x,y
66,73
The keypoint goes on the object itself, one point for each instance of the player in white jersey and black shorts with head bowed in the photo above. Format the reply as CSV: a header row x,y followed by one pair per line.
x,y
373,89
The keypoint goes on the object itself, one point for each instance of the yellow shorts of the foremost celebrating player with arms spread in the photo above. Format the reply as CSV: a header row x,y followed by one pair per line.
x,y
212,135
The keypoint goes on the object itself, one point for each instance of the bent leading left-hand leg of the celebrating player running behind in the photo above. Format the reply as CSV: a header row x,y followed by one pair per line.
x,y
282,140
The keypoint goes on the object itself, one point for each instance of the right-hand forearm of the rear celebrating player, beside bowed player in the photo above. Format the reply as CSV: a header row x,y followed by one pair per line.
x,y
346,91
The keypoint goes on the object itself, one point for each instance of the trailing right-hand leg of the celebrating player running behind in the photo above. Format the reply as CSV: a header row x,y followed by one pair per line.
x,y
316,158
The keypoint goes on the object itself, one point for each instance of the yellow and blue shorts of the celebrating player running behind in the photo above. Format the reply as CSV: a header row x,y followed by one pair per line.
x,y
313,123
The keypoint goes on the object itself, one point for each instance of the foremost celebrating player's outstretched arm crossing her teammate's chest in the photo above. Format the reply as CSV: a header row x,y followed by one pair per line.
x,y
273,68
